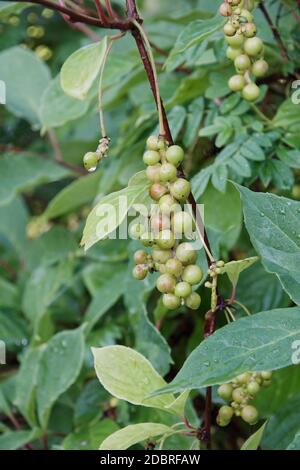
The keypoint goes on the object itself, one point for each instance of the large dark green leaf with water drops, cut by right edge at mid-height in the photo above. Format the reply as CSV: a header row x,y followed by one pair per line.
x,y
273,224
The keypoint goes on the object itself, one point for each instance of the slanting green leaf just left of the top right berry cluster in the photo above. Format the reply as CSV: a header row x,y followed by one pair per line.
x,y
194,33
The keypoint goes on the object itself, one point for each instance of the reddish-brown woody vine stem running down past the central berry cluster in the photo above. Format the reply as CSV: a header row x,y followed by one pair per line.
x,y
134,23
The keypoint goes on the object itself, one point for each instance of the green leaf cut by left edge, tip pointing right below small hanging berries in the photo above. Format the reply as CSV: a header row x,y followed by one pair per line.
x,y
20,172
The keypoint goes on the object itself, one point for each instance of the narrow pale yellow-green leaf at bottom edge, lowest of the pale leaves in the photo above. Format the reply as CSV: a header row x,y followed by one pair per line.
x,y
133,434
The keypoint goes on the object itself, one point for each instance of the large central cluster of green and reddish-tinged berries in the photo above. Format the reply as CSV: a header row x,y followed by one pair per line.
x,y
167,225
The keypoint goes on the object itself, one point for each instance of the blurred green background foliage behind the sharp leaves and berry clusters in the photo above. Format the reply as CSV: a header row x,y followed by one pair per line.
x,y
49,288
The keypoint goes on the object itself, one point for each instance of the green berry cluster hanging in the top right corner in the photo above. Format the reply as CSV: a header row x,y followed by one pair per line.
x,y
245,49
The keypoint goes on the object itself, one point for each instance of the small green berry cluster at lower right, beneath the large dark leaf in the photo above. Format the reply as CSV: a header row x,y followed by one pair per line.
x,y
239,392
